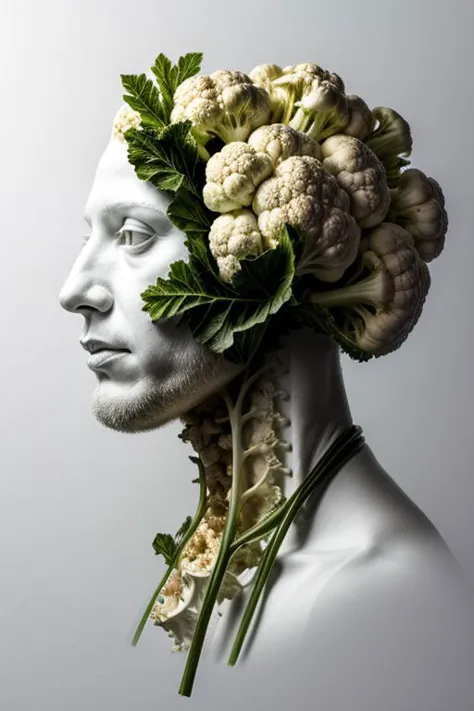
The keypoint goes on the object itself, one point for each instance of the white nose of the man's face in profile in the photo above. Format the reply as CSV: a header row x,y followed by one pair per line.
x,y
85,289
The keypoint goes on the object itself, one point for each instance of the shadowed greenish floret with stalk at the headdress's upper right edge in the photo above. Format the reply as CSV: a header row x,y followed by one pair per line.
x,y
391,142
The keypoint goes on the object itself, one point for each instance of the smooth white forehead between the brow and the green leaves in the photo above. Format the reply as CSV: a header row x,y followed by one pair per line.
x,y
115,182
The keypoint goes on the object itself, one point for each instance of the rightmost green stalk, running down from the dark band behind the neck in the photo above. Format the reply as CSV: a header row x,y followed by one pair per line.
x,y
350,442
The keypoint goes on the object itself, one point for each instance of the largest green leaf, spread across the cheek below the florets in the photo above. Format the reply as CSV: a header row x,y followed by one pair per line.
x,y
216,312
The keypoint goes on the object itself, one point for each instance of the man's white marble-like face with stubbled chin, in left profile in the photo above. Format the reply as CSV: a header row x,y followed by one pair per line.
x,y
148,372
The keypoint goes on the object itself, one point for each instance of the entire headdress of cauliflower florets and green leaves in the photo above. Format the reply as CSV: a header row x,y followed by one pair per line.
x,y
296,201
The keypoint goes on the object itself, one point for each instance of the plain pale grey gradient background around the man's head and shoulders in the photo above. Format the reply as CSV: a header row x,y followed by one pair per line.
x,y
80,504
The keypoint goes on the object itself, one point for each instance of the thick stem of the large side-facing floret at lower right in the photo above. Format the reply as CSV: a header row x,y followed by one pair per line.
x,y
375,290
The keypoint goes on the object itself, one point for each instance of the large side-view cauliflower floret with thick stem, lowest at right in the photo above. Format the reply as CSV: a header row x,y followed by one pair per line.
x,y
377,313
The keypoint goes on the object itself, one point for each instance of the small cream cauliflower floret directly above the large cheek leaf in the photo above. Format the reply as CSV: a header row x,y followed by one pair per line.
x,y
232,237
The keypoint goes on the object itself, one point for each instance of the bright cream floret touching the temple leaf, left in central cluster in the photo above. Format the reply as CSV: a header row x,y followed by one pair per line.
x,y
232,176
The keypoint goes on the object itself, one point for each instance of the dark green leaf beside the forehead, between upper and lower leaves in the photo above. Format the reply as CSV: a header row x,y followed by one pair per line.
x,y
167,158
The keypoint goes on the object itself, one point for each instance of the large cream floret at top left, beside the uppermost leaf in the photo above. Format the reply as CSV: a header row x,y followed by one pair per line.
x,y
224,104
